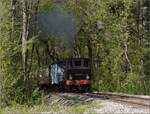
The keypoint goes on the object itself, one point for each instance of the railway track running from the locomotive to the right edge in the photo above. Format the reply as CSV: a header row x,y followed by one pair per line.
x,y
125,98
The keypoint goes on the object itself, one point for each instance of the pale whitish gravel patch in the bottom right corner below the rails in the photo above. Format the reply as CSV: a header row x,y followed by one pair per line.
x,y
110,107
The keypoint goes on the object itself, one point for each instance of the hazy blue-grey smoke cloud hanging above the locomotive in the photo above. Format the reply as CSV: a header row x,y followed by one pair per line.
x,y
59,23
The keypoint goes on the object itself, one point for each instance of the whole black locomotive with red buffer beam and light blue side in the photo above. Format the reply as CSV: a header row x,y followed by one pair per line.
x,y
71,74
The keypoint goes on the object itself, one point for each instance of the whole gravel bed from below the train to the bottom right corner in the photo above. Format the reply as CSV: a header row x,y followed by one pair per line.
x,y
102,106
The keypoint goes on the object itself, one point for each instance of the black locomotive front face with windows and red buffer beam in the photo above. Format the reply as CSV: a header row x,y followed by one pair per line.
x,y
78,74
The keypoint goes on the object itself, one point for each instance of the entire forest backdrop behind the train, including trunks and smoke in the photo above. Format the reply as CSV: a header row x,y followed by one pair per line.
x,y
114,34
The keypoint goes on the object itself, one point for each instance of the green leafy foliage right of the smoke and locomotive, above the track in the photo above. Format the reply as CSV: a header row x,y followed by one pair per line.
x,y
117,53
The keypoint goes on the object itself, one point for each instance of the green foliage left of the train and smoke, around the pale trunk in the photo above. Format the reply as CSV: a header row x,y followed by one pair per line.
x,y
40,53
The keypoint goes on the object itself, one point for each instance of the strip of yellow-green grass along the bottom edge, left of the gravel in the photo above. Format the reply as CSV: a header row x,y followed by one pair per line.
x,y
78,109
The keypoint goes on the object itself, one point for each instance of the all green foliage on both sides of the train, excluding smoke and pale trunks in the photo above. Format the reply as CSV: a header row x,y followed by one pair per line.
x,y
110,27
